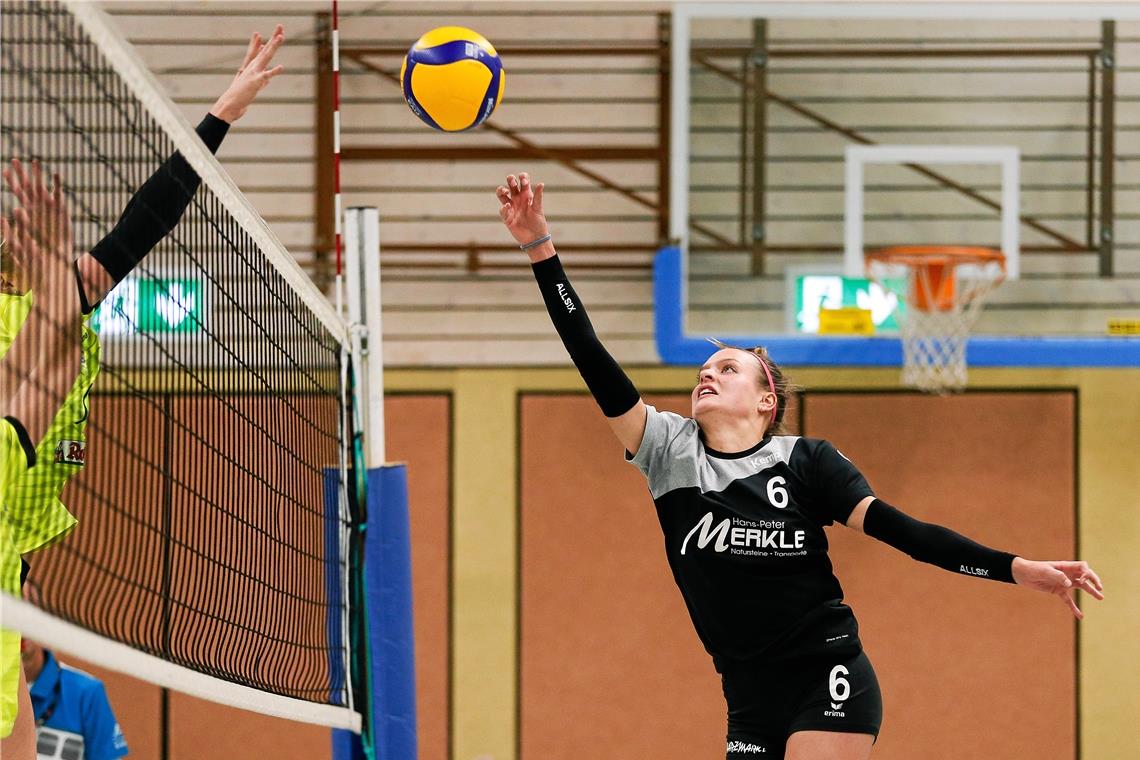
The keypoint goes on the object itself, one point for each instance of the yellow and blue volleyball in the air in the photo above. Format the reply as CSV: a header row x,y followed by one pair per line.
x,y
453,79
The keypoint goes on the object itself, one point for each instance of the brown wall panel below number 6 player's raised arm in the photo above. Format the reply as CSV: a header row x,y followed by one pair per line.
x,y
610,667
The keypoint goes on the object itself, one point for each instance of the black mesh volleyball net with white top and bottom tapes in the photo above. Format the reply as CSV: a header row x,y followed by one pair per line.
x,y
216,492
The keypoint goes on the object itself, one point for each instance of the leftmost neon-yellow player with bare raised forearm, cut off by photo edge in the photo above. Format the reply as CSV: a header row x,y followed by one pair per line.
x,y
35,377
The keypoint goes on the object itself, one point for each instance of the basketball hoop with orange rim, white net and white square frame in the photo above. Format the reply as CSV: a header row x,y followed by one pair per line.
x,y
947,284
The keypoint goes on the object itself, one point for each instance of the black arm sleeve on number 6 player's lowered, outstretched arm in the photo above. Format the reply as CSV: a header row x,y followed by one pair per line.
x,y
937,545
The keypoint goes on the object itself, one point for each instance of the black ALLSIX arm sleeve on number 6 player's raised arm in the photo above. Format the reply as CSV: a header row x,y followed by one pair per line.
x,y
613,390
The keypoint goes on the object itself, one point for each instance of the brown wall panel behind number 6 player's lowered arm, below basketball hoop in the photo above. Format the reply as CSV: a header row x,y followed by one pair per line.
x,y
968,668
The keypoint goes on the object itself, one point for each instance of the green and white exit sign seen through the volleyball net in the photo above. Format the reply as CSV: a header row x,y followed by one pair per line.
x,y
152,306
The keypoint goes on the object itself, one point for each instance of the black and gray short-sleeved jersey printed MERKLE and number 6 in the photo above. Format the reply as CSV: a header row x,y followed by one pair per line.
x,y
744,534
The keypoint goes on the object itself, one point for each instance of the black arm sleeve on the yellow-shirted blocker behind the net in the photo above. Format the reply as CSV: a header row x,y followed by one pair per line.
x,y
156,209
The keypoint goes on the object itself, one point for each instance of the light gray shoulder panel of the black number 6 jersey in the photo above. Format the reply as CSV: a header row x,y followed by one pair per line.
x,y
672,456
